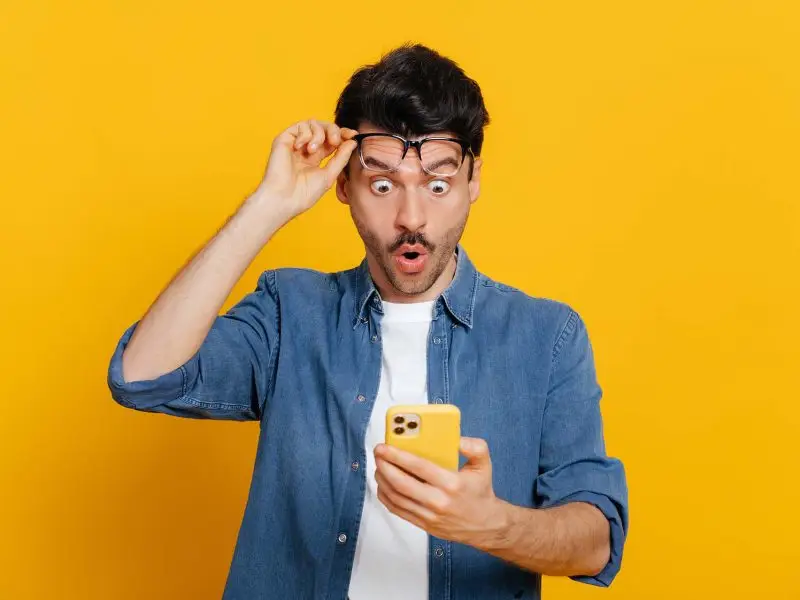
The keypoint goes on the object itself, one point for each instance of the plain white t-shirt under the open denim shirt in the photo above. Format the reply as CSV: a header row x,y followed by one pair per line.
x,y
391,561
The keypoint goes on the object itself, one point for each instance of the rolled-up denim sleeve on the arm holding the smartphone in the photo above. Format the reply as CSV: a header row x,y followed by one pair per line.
x,y
574,466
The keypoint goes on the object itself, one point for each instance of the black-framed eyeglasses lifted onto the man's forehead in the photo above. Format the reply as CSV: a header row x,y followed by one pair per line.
x,y
383,152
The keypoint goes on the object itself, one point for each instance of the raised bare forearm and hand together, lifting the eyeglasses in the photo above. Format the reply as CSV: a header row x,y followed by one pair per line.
x,y
179,320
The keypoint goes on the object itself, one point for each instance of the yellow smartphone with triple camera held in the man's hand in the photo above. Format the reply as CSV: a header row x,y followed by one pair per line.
x,y
431,431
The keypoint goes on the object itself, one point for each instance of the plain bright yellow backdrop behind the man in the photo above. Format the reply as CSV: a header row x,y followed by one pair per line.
x,y
642,165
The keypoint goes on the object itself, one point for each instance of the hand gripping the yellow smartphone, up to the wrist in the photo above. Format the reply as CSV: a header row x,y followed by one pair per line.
x,y
459,507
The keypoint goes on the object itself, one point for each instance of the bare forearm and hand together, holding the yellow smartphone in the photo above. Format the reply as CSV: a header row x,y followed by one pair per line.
x,y
572,539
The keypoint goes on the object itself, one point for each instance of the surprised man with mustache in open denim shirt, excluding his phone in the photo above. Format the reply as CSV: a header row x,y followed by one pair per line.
x,y
317,358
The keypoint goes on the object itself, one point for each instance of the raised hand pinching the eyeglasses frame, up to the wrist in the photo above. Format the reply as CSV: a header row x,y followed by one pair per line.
x,y
294,174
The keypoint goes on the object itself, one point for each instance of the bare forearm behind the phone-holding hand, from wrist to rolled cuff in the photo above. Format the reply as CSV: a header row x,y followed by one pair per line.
x,y
572,539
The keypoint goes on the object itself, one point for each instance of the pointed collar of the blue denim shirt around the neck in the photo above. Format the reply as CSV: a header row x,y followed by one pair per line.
x,y
459,297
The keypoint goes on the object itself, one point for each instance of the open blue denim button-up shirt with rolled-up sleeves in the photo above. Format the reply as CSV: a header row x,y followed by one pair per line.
x,y
302,355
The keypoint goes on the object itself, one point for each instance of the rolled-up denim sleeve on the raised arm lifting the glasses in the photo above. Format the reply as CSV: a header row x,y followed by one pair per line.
x,y
230,375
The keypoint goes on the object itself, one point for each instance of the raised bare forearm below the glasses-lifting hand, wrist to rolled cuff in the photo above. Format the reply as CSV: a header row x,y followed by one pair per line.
x,y
178,322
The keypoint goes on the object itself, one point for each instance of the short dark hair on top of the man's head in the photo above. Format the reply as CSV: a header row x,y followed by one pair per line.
x,y
414,90
